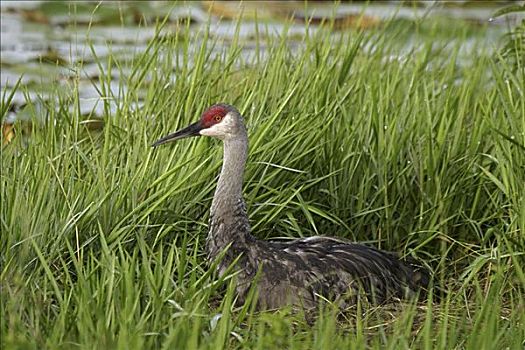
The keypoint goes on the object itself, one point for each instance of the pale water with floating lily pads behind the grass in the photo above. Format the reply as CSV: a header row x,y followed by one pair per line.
x,y
46,46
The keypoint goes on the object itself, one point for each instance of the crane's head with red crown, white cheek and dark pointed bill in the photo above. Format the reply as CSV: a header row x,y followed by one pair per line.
x,y
221,120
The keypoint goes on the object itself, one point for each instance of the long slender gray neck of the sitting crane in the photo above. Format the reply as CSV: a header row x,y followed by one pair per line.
x,y
228,218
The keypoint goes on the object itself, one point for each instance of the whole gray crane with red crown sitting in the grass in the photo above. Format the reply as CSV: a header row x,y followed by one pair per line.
x,y
299,272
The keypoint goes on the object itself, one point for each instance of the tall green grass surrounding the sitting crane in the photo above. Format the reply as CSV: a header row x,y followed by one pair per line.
x,y
102,236
